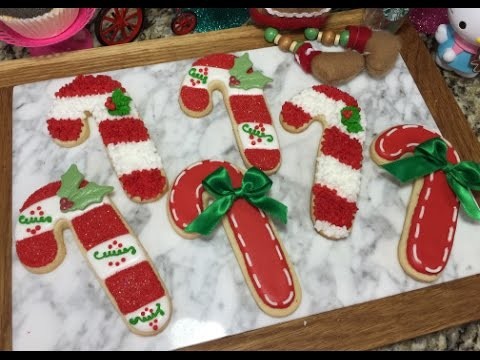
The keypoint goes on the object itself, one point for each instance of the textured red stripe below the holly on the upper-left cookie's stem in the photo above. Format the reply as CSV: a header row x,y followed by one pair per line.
x,y
123,130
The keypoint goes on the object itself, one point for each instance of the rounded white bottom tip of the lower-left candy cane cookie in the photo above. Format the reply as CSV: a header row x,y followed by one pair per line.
x,y
144,326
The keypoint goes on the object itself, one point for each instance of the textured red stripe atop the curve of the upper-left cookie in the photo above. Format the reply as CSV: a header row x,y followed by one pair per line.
x,y
84,85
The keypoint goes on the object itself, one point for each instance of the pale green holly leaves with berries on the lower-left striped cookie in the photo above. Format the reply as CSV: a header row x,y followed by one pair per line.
x,y
73,197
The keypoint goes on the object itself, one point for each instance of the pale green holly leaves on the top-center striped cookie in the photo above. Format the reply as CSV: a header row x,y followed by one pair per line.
x,y
244,77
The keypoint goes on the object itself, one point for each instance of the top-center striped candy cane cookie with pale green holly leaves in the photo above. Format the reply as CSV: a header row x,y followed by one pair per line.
x,y
242,90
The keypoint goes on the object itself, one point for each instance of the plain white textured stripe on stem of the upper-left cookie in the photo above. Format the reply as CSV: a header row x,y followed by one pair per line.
x,y
128,157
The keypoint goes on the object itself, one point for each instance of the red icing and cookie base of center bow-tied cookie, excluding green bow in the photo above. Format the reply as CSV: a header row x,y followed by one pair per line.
x,y
254,240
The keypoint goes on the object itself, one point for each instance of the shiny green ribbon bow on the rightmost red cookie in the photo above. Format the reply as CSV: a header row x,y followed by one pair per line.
x,y
431,156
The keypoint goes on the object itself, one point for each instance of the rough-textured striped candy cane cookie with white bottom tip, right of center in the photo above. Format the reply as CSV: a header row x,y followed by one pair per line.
x,y
339,160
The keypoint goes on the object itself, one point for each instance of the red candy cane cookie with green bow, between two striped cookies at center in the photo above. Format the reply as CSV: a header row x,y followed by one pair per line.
x,y
256,244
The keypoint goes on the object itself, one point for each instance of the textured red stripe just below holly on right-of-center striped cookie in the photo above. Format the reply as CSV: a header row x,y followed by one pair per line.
x,y
342,147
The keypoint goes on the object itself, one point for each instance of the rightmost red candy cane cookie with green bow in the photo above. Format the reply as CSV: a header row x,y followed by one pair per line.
x,y
431,219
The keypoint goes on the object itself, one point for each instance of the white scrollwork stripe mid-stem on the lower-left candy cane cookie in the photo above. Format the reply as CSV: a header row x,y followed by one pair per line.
x,y
105,266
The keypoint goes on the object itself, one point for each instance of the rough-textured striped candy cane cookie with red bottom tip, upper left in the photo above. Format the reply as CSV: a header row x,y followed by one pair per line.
x,y
131,151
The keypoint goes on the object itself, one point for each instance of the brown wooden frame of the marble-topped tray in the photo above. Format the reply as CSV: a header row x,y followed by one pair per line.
x,y
364,326
